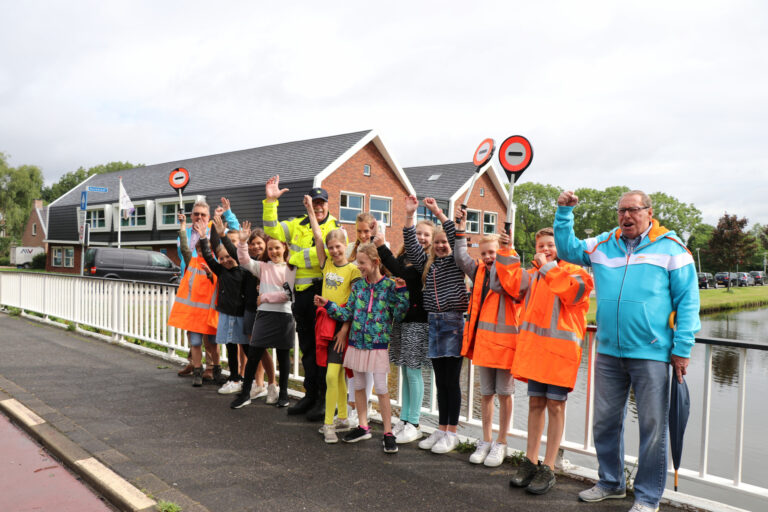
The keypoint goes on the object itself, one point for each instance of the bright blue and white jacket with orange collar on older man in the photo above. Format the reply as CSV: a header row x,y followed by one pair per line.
x,y
638,291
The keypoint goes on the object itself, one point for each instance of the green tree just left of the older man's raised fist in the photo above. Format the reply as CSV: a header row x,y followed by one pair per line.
x,y
536,205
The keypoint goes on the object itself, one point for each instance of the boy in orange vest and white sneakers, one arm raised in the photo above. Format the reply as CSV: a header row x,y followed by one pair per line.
x,y
489,341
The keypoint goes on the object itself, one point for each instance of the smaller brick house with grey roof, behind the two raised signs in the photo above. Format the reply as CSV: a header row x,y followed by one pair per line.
x,y
448,184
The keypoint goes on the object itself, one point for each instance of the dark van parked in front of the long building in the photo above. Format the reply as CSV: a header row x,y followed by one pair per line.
x,y
130,264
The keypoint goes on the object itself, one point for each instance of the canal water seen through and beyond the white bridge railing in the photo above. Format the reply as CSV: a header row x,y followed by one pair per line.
x,y
748,325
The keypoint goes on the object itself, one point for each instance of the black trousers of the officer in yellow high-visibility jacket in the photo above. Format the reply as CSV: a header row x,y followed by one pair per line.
x,y
304,314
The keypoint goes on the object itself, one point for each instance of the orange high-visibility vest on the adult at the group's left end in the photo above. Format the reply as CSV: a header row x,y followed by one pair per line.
x,y
195,306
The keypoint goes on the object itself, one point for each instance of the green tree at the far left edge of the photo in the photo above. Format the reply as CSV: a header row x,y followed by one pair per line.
x,y
19,187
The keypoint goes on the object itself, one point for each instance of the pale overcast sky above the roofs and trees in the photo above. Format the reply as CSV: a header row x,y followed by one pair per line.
x,y
662,96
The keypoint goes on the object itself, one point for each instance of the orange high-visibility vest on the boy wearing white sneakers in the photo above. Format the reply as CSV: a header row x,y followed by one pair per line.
x,y
491,331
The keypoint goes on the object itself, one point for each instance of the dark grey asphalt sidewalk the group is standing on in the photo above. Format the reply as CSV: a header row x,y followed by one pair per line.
x,y
186,445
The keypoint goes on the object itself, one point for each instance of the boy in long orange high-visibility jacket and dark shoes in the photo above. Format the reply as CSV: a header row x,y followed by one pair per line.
x,y
552,325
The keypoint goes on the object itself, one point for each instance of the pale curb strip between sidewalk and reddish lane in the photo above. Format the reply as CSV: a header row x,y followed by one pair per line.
x,y
118,491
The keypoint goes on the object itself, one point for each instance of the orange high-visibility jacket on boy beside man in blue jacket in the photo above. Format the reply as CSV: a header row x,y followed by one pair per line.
x,y
553,321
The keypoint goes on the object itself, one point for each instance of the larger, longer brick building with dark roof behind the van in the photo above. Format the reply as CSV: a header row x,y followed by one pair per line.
x,y
356,169
